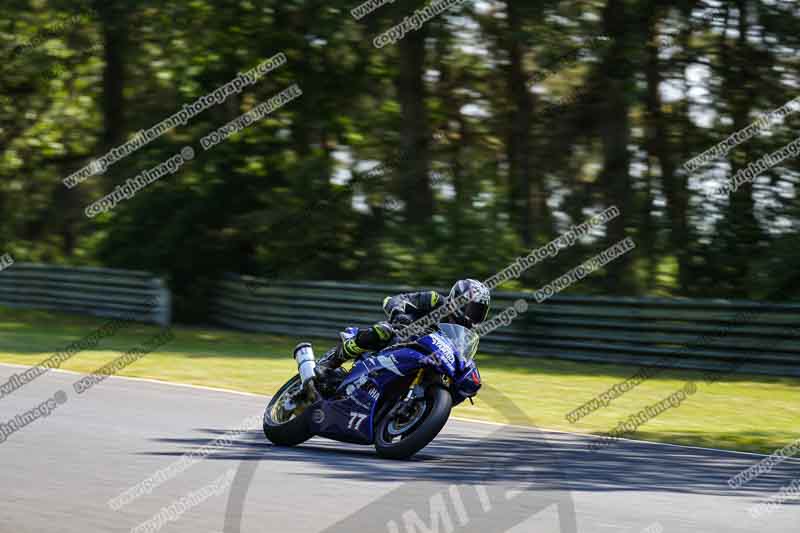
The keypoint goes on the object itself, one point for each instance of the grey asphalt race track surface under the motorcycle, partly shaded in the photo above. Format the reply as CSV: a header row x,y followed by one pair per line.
x,y
59,472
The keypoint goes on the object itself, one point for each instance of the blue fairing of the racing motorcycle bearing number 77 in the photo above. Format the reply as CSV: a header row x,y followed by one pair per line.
x,y
350,415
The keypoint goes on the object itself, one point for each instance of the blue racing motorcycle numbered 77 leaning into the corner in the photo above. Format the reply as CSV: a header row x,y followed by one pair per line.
x,y
397,399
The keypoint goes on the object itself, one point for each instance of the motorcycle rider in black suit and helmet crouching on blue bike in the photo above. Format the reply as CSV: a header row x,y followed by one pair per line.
x,y
402,310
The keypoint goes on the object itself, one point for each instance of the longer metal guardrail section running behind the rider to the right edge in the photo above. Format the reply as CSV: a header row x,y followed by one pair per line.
x,y
680,333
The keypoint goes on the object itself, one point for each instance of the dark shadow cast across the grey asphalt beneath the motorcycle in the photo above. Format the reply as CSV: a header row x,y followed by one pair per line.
x,y
557,463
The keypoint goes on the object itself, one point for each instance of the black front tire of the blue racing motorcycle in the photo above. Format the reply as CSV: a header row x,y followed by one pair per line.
x,y
394,441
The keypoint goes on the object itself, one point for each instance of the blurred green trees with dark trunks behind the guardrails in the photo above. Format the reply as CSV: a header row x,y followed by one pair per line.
x,y
291,195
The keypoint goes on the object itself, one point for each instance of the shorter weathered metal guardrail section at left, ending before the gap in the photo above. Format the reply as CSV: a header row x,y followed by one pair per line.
x,y
94,291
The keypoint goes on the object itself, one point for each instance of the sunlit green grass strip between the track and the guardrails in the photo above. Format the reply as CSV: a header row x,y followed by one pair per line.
x,y
750,413
